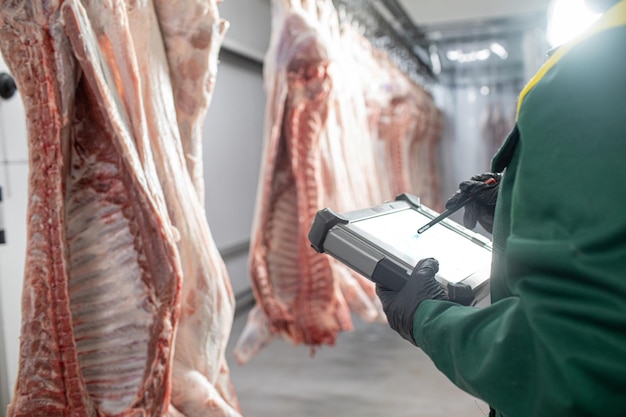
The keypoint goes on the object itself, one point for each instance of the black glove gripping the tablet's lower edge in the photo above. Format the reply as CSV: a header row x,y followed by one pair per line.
x,y
400,306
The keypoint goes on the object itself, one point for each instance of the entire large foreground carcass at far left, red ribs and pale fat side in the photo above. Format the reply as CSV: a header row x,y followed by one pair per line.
x,y
115,224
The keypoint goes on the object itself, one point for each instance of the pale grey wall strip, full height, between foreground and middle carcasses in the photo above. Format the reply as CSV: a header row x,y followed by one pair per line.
x,y
233,135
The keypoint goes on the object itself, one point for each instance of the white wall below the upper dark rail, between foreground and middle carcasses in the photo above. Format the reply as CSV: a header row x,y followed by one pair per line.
x,y
233,135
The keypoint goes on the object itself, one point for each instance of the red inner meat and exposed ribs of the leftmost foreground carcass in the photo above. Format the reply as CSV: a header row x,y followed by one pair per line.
x,y
88,197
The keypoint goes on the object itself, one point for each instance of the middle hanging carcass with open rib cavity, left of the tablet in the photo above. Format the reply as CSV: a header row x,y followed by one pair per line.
x,y
293,284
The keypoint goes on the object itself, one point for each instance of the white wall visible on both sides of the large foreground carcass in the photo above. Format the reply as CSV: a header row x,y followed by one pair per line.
x,y
233,135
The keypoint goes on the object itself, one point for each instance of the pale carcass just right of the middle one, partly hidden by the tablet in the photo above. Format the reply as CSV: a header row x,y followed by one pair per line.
x,y
349,157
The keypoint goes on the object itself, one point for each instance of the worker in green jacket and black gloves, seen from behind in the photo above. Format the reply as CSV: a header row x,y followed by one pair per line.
x,y
553,340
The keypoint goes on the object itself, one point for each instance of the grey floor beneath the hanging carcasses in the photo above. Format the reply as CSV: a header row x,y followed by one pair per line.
x,y
371,372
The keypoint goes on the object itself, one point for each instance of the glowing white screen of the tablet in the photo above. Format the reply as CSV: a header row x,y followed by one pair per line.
x,y
396,232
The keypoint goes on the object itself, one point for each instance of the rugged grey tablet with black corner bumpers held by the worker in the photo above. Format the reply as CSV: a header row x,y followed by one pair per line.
x,y
382,244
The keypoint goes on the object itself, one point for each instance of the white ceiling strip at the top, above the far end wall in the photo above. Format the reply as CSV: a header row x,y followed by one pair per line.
x,y
434,12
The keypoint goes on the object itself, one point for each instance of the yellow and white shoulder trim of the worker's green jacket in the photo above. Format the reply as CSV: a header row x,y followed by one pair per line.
x,y
614,17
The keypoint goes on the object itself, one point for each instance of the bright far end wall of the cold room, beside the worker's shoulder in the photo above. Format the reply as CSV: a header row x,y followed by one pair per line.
x,y
479,96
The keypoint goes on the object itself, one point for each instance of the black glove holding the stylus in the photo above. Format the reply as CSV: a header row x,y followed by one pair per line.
x,y
482,206
